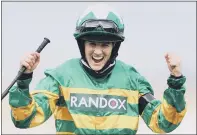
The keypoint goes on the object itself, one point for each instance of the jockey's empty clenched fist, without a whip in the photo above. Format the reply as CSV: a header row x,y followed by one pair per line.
x,y
174,64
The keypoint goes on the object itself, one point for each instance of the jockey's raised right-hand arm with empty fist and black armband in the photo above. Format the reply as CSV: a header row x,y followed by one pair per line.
x,y
166,115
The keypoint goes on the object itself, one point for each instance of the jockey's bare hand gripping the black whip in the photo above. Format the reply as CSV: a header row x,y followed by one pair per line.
x,y
30,61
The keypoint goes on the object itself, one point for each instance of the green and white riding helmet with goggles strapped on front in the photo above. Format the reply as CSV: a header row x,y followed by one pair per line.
x,y
101,23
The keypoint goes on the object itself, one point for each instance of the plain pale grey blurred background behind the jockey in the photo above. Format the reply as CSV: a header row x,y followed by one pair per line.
x,y
151,30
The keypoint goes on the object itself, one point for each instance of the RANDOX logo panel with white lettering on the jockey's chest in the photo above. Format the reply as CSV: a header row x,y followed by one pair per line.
x,y
95,102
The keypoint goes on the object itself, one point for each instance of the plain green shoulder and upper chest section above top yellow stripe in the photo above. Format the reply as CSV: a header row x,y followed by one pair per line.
x,y
71,74
